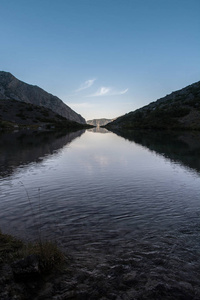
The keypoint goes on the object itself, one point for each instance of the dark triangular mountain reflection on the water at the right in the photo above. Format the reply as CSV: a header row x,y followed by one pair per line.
x,y
180,147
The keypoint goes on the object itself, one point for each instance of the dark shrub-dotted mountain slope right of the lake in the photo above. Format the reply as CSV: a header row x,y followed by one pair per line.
x,y
179,110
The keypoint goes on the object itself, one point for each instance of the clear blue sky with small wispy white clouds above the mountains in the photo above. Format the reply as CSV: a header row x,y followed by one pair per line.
x,y
103,58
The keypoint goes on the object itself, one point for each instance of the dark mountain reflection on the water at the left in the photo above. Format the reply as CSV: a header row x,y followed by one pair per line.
x,y
24,147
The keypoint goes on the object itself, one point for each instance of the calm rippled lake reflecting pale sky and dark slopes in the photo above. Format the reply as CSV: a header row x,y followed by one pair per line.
x,y
131,196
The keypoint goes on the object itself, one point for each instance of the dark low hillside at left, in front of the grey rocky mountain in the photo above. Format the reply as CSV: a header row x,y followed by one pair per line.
x,y
14,114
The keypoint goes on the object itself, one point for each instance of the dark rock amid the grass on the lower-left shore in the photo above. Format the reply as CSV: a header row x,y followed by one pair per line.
x,y
26,268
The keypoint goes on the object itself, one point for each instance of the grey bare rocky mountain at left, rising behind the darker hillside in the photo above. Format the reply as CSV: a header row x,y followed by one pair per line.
x,y
12,88
